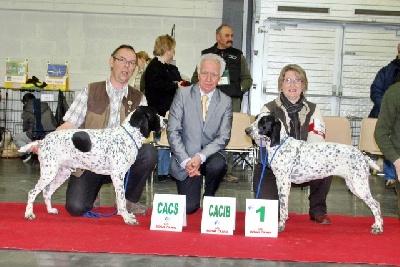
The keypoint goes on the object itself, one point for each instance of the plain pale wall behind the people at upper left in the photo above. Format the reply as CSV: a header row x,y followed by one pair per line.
x,y
86,32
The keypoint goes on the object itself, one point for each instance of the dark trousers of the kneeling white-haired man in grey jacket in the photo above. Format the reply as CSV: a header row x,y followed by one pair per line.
x,y
214,169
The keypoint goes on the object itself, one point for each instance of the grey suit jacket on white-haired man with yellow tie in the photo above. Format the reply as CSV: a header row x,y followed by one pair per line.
x,y
188,134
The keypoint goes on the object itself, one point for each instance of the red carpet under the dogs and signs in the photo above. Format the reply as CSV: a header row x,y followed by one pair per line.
x,y
347,240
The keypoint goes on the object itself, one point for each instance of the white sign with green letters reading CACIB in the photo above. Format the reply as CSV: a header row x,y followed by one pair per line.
x,y
219,214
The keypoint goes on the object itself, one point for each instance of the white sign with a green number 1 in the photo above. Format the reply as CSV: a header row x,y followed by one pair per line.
x,y
261,218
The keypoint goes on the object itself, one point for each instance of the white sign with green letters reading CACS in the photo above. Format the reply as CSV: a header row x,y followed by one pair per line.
x,y
169,212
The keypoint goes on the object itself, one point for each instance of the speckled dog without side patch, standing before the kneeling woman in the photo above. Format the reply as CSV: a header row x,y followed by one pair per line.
x,y
295,161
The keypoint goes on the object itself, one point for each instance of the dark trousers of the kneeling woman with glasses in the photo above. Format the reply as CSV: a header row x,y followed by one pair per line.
x,y
268,190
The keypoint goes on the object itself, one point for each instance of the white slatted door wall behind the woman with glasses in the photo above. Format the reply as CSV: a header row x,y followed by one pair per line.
x,y
341,52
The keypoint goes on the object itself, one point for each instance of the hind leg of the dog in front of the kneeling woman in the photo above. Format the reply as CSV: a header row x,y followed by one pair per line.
x,y
359,185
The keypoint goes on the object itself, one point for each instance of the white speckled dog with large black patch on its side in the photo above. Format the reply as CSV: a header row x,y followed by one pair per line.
x,y
109,151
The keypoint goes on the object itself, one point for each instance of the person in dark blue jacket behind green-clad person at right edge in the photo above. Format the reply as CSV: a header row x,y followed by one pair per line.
x,y
385,77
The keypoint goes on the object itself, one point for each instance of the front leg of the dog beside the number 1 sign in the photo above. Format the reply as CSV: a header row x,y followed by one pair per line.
x,y
283,183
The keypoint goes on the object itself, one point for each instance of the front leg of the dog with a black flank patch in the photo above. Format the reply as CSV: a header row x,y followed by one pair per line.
x,y
118,182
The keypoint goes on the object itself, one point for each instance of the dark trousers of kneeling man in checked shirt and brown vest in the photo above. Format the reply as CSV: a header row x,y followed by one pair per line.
x,y
82,191
